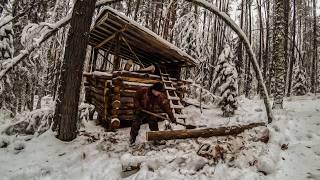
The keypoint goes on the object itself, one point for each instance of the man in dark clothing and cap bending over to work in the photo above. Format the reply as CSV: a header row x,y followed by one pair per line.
x,y
149,99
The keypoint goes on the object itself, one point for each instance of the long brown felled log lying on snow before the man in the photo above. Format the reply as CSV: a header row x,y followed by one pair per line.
x,y
203,132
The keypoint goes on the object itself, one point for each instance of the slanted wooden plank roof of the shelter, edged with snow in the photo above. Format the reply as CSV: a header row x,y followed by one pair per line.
x,y
138,43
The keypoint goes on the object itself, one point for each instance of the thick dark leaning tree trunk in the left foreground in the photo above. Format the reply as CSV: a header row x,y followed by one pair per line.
x,y
65,118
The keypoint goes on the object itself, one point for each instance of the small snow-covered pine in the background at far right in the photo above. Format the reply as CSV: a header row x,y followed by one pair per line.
x,y
300,82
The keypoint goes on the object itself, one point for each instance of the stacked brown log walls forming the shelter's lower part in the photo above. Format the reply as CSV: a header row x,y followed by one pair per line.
x,y
112,94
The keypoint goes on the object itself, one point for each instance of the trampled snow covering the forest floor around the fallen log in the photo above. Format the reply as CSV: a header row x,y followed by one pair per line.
x,y
292,152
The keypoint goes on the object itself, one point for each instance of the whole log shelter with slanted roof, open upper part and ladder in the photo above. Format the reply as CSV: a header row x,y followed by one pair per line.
x,y
139,58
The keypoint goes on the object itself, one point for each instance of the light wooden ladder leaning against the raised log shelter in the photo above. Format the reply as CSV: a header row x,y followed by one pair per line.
x,y
174,99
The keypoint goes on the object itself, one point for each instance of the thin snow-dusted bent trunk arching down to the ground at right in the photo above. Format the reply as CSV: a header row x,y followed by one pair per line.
x,y
246,41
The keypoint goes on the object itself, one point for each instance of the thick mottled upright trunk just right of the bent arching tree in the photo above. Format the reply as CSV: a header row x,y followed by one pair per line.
x,y
279,52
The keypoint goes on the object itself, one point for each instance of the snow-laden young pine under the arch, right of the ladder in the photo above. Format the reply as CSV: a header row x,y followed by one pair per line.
x,y
226,82
